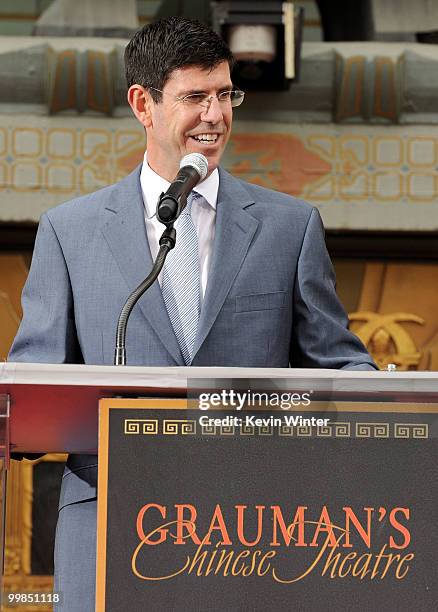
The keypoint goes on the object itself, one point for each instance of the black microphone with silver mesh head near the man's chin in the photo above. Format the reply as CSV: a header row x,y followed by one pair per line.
x,y
193,169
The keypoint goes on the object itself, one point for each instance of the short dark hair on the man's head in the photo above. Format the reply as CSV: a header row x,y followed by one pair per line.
x,y
161,47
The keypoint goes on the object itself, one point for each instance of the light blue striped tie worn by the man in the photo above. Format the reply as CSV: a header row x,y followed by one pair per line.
x,y
181,281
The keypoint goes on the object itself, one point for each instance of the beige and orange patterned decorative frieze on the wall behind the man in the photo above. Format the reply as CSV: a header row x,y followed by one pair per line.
x,y
360,177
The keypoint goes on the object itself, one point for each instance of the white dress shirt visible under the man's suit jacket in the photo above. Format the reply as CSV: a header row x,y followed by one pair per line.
x,y
203,215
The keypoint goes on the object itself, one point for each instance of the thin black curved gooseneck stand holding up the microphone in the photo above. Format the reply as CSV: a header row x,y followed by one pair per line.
x,y
167,243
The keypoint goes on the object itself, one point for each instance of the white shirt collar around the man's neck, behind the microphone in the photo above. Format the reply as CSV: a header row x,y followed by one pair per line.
x,y
153,185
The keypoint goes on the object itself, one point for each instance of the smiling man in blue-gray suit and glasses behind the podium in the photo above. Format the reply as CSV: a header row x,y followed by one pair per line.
x,y
266,293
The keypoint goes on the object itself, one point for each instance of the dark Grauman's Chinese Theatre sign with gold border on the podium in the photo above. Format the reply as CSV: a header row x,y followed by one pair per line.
x,y
260,513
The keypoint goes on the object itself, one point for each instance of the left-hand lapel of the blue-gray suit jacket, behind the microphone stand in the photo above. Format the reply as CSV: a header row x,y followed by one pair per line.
x,y
125,233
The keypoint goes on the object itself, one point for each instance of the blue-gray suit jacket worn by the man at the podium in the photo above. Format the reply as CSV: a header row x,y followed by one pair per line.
x,y
270,299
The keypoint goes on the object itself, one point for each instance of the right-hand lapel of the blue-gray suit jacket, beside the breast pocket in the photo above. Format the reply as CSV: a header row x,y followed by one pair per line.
x,y
235,229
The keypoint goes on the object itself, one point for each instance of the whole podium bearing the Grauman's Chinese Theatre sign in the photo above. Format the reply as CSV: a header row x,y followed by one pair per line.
x,y
262,506
